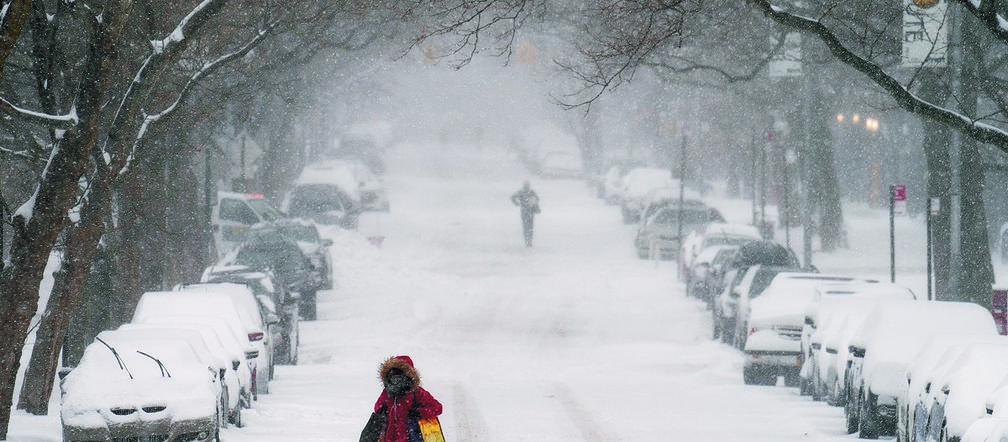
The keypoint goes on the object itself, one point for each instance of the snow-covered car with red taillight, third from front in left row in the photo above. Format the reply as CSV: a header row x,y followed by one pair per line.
x,y
162,307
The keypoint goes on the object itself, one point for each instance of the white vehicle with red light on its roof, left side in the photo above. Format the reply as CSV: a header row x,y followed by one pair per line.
x,y
235,214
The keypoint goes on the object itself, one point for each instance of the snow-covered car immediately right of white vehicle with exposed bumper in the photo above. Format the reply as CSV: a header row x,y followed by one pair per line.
x,y
820,308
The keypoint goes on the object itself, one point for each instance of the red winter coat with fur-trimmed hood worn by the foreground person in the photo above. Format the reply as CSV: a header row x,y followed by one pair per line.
x,y
399,408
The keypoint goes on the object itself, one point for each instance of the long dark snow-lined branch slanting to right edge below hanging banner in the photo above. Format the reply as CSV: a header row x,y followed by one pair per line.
x,y
904,97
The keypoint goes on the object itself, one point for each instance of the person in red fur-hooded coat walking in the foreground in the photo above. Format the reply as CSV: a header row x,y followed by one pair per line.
x,y
404,399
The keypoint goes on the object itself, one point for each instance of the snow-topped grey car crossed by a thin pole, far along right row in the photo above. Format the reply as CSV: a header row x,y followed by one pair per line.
x,y
662,234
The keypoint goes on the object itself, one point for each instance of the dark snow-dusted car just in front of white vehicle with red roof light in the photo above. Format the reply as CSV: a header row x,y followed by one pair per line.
x,y
269,250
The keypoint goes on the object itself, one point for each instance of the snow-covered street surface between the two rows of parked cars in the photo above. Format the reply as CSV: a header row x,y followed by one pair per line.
x,y
573,341
